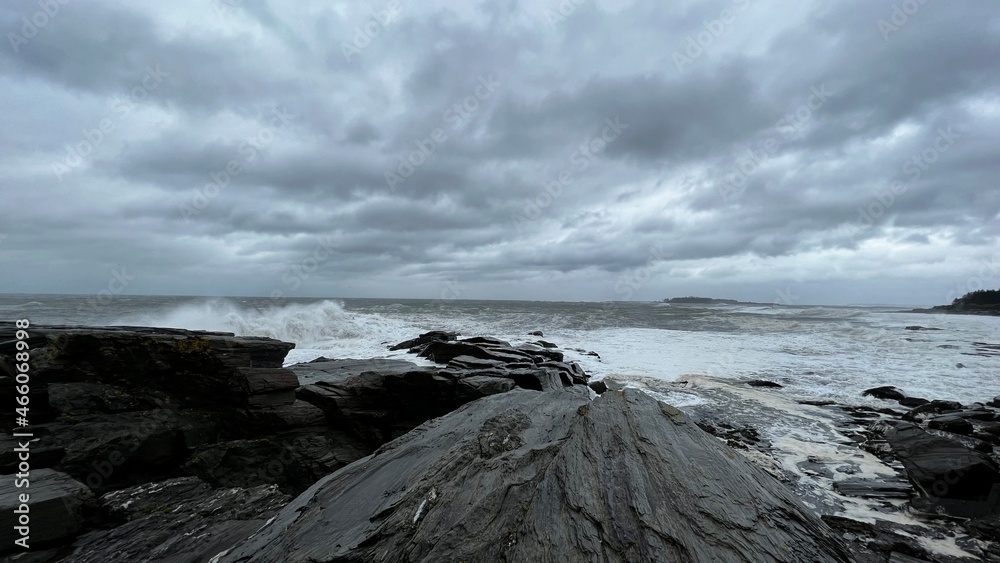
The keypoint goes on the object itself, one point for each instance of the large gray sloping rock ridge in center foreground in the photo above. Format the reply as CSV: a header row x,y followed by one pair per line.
x,y
527,476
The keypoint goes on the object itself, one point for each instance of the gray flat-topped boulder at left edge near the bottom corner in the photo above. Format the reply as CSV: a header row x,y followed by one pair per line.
x,y
55,511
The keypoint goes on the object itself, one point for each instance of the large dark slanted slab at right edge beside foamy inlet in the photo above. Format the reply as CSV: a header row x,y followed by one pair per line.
x,y
948,474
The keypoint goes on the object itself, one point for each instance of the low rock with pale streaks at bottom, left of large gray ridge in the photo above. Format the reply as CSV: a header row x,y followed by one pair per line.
x,y
177,520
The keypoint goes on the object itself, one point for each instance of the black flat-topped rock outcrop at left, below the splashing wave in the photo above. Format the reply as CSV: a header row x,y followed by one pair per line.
x,y
115,407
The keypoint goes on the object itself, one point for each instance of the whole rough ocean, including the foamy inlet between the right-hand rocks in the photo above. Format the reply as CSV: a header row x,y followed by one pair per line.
x,y
695,357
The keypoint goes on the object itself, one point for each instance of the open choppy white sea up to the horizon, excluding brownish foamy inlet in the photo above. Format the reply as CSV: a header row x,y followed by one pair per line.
x,y
815,352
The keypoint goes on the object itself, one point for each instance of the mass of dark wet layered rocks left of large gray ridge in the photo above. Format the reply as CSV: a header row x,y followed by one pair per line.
x,y
213,420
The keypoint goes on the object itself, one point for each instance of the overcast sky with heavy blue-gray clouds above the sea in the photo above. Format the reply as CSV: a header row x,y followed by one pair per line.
x,y
816,152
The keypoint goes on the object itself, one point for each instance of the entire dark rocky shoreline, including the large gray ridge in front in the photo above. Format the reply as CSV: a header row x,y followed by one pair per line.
x,y
174,445
